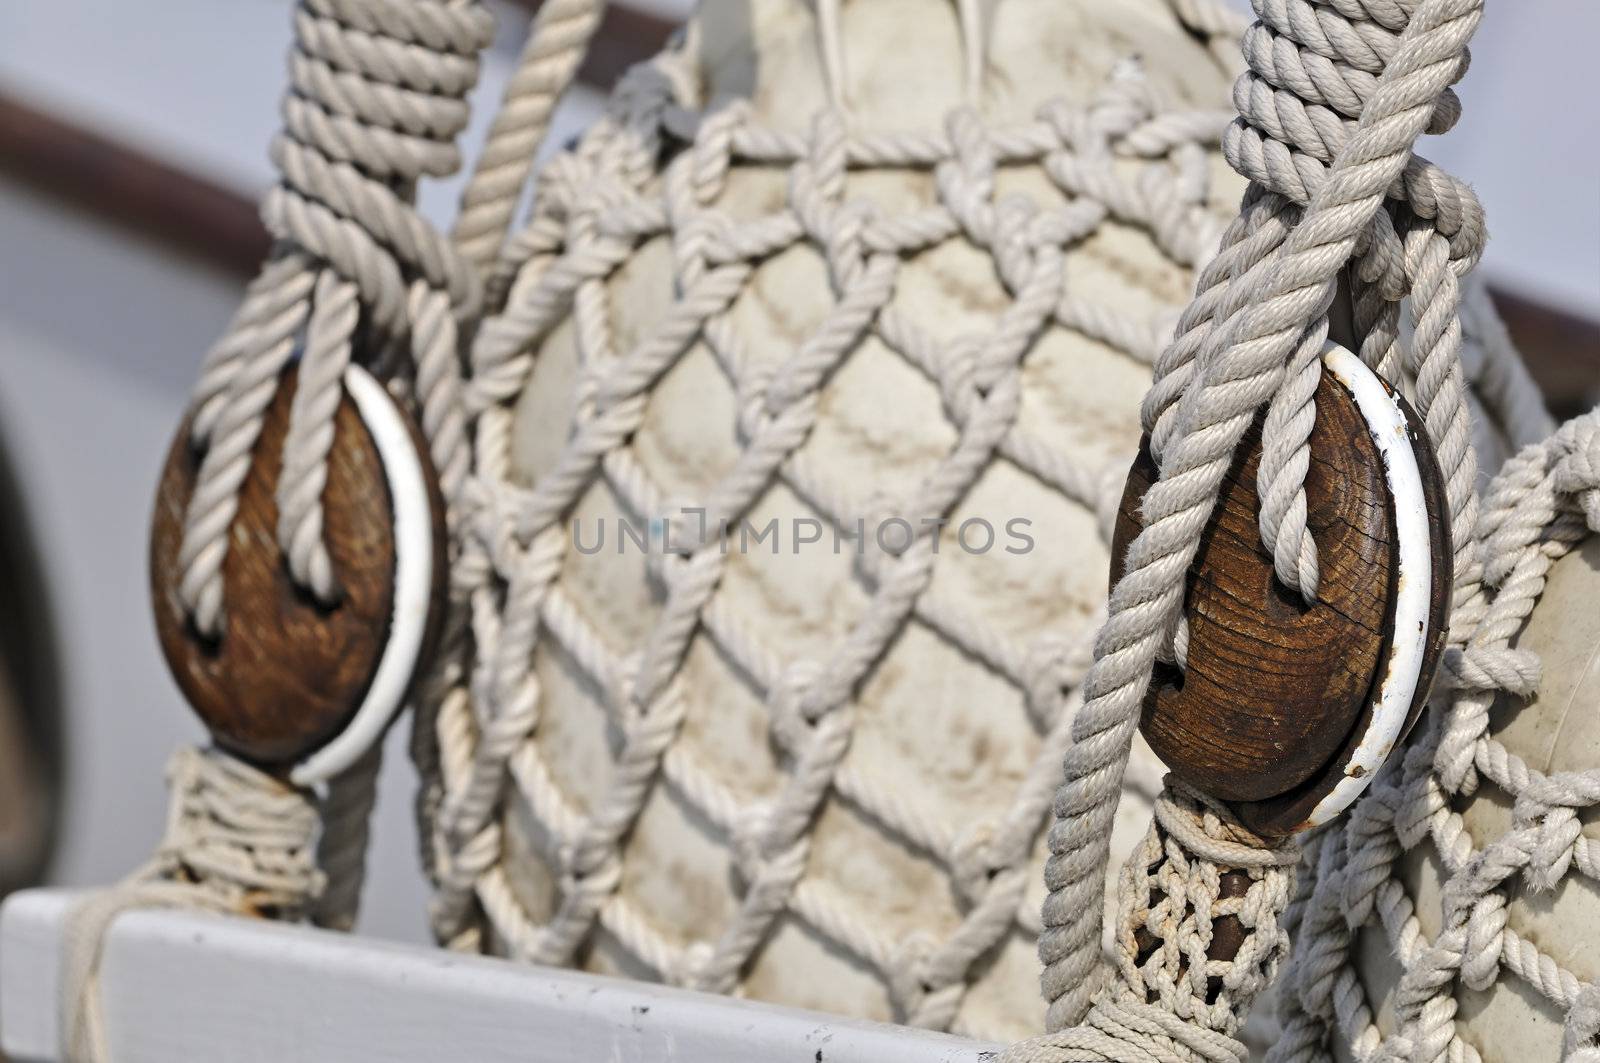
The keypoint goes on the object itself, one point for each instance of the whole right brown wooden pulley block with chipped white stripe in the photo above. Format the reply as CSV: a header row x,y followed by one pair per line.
x,y
1286,710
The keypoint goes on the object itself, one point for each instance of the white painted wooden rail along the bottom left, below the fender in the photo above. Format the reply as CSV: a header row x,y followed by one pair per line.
x,y
196,987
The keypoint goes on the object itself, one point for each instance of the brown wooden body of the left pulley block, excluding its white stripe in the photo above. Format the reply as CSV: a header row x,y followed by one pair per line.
x,y
287,673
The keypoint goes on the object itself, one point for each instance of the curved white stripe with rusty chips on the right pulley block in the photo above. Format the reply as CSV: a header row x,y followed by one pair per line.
x,y
1404,665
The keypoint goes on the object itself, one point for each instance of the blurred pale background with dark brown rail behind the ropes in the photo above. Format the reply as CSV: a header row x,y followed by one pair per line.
x,y
134,145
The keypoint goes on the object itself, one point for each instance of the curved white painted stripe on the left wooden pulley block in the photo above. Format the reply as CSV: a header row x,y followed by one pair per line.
x,y
414,587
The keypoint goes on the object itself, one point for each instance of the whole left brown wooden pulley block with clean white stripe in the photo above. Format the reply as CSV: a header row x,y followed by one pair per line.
x,y
295,686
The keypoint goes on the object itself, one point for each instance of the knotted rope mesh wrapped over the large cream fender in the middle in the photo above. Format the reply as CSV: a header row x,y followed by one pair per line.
x,y
652,169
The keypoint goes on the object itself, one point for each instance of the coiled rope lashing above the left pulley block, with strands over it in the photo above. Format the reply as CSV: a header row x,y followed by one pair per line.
x,y
377,100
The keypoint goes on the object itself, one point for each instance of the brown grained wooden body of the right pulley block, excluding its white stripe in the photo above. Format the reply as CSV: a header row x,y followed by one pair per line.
x,y
1278,692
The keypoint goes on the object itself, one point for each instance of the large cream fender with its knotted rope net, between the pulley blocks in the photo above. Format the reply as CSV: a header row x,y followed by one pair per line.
x,y
598,766
